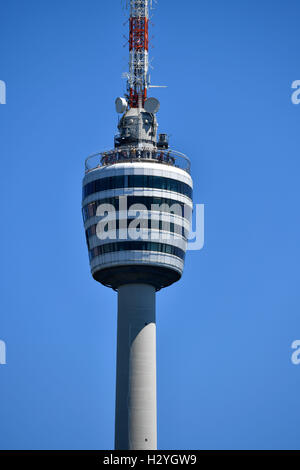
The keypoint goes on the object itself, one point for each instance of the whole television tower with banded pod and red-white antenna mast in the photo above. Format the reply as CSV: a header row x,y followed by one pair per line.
x,y
137,206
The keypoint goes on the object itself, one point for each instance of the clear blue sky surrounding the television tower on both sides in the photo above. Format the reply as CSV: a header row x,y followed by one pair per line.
x,y
224,332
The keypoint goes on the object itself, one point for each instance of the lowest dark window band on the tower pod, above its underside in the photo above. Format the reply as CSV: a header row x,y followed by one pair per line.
x,y
136,245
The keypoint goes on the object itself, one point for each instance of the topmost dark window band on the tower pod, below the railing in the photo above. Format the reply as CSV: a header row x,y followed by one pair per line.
x,y
137,181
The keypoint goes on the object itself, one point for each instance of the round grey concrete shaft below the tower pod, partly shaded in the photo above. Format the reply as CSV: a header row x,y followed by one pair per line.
x,y
136,368
